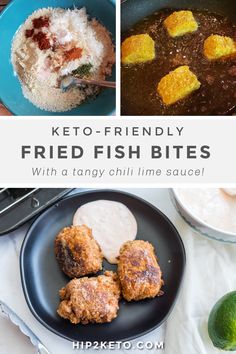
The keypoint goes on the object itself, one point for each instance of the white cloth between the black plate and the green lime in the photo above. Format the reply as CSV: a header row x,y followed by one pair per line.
x,y
210,274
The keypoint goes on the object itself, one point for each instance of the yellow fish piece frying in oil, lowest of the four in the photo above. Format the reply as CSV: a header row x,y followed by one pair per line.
x,y
178,84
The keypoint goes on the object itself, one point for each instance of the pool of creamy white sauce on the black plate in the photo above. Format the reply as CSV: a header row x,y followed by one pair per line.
x,y
112,224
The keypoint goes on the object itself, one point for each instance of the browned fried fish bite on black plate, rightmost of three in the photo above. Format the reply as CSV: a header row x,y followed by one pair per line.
x,y
139,273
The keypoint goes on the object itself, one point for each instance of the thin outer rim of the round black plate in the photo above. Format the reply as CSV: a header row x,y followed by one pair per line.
x,y
132,196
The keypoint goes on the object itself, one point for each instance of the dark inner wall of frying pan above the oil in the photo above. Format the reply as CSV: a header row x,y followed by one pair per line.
x,y
135,10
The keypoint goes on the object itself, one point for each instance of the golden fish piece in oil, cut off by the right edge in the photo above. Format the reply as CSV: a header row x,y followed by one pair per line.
x,y
216,47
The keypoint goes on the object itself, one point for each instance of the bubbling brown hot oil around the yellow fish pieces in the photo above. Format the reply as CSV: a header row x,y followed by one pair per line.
x,y
217,94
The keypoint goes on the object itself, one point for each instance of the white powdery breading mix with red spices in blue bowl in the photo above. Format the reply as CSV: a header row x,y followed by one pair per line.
x,y
51,44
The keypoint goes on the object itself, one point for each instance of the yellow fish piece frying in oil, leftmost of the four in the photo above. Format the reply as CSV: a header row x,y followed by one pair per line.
x,y
137,49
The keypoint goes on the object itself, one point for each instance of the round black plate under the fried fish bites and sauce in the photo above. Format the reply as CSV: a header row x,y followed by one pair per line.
x,y
42,278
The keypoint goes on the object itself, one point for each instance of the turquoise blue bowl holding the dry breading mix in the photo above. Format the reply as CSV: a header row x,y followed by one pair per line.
x,y
10,90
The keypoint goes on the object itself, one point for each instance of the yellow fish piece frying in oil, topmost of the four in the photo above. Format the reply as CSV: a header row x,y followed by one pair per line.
x,y
180,23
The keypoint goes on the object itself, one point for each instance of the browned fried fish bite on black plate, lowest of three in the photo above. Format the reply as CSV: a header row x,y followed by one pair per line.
x,y
90,300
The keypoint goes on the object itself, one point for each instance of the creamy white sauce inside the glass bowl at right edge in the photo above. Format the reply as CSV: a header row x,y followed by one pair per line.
x,y
214,206
